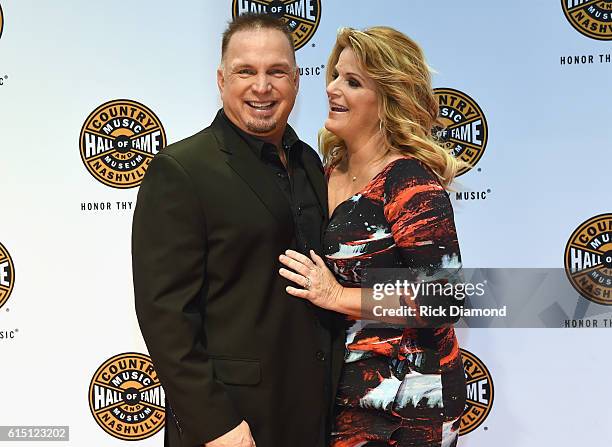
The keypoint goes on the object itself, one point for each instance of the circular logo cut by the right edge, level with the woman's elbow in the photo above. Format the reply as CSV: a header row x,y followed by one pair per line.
x,y
588,259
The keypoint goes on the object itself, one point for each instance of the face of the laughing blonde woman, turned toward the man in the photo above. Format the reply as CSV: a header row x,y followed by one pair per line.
x,y
353,100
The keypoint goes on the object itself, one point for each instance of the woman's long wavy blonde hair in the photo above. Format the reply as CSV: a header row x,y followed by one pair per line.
x,y
406,105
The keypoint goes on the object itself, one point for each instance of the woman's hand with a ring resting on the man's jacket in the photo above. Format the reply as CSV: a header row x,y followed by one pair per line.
x,y
317,283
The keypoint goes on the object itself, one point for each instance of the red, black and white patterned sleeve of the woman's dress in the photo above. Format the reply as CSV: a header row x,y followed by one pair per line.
x,y
420,215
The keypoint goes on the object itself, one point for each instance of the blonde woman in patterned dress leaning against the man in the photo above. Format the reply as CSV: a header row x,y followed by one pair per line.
x,y
400,386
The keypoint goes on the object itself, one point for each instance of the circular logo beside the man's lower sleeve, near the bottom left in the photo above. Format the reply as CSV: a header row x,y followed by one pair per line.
x,y
126,398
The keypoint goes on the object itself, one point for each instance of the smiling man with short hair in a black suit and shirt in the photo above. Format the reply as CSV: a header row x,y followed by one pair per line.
x,y
242,362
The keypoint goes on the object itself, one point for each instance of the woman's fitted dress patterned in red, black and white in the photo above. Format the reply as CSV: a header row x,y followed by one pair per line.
x,y
399,386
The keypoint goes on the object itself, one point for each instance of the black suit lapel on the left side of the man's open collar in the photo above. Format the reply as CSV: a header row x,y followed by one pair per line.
x,y
245,163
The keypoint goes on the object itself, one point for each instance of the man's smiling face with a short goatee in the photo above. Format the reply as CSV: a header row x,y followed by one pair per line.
x,y
258,82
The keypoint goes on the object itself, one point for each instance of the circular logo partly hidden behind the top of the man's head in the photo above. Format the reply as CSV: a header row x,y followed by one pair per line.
x,y
301,16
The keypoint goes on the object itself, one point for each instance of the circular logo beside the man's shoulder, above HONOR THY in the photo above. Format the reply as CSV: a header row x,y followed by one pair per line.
x,y
118,141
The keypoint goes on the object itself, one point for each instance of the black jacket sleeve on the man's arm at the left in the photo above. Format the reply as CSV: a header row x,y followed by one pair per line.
x,y
168,261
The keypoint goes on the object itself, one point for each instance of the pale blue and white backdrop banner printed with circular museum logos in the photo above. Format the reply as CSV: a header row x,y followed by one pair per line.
x,y
90,92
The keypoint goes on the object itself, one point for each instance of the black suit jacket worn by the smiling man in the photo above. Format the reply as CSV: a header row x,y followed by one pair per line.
x,y
227,341
